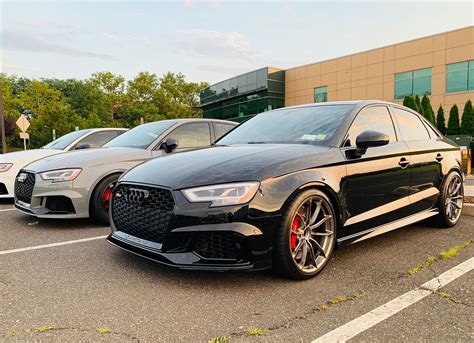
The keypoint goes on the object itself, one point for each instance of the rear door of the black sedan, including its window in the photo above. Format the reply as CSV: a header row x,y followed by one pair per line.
x,y
426,159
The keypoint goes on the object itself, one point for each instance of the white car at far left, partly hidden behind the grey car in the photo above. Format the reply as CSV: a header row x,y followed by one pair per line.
x,y
11,163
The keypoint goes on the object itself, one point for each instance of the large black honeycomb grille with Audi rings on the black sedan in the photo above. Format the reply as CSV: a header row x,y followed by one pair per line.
x,y
142,211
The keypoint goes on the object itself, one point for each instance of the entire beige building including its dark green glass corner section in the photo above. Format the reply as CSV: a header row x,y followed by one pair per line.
x,y
440,66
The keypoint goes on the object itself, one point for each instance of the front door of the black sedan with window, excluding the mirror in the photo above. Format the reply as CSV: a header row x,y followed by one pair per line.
x,y
376,187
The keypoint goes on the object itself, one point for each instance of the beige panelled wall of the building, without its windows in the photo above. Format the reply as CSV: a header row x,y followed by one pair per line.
x,y
371,74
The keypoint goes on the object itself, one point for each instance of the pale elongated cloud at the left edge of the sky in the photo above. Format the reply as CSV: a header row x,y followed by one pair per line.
x,y
28,41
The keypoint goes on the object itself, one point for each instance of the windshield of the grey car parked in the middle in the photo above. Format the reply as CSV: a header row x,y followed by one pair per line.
x,y
141,136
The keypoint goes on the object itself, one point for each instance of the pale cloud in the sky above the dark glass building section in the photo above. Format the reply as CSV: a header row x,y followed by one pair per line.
x,y
231,45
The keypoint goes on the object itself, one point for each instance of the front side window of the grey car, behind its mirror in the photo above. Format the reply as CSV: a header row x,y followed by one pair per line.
x,y
192,135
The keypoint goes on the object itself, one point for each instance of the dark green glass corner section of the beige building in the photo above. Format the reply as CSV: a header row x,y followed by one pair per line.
x,y
245,95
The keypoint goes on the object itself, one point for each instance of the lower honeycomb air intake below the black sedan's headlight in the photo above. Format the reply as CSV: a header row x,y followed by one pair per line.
x,y
218,245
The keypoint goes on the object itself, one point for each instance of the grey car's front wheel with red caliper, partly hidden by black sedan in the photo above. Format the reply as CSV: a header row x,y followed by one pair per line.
x,y
99,204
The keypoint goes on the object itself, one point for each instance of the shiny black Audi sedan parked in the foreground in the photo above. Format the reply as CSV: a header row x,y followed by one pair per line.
x,y
284,188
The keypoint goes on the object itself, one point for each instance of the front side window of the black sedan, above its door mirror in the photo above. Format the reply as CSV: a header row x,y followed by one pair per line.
x,y
375,118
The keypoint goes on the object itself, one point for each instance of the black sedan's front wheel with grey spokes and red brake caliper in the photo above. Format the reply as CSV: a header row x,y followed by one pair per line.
x,y
306,236
